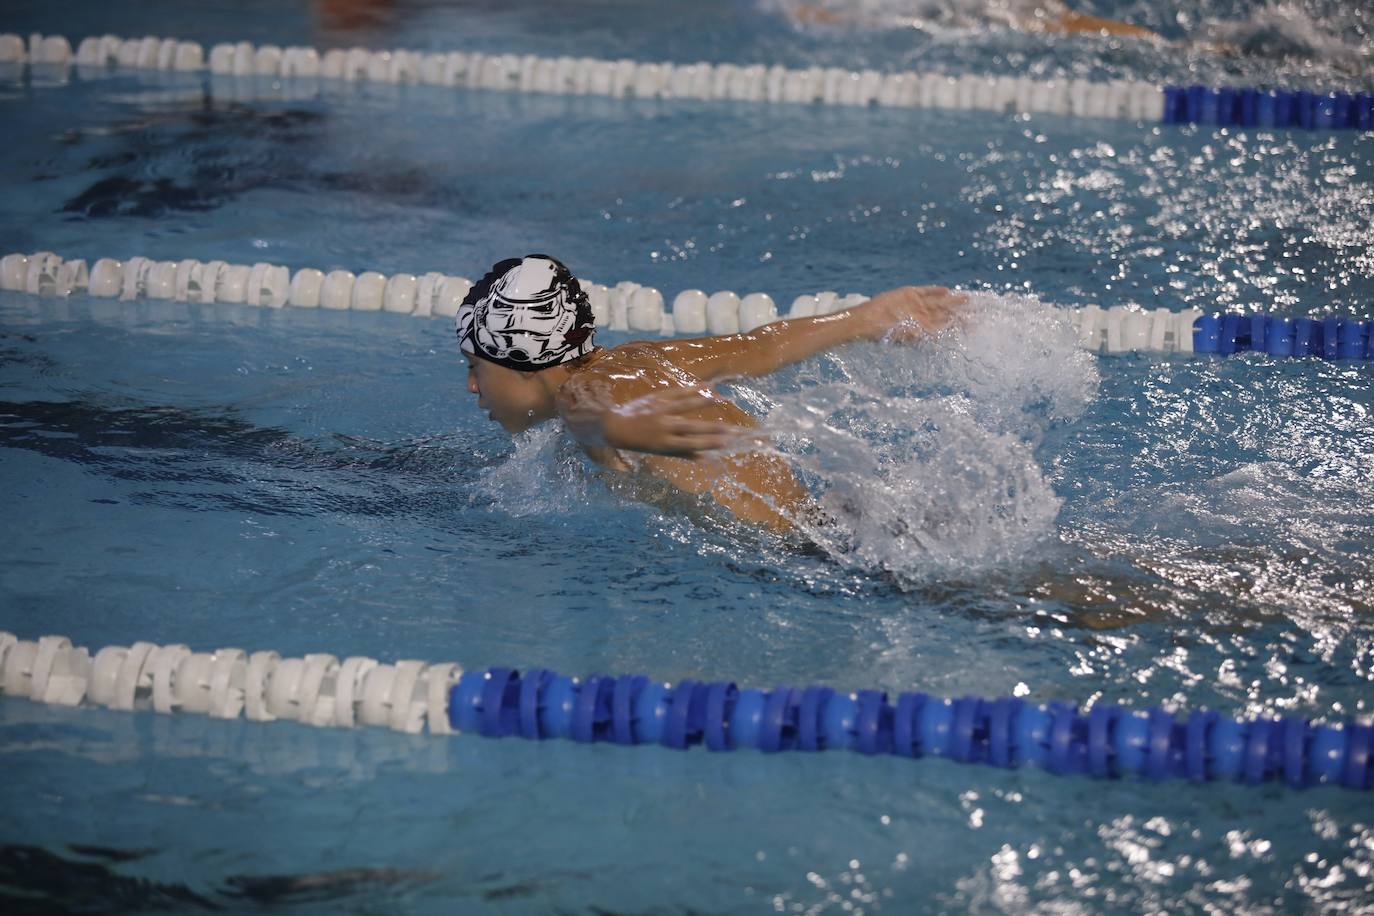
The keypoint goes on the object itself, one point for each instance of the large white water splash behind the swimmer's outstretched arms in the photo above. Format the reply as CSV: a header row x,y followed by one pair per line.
x,y
924,458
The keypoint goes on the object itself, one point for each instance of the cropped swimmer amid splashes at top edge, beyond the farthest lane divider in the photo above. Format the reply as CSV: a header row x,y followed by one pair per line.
x,y
1026,16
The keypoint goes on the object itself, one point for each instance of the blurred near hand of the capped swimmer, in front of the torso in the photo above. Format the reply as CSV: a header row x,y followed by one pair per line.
x,y
657,424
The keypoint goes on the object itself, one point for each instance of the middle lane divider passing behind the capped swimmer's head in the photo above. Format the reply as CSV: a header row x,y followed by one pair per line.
x,y
630,307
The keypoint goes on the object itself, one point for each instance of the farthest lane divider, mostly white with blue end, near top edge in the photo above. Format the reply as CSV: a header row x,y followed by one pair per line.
x,y
1243,106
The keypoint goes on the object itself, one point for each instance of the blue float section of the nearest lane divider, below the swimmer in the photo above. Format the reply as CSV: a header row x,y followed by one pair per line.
x,y
1110,742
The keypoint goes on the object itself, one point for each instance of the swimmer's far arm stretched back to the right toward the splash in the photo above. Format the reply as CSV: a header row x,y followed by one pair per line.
x,y
903,315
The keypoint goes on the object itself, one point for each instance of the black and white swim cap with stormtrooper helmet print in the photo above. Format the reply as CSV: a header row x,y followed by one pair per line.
x,y
527,314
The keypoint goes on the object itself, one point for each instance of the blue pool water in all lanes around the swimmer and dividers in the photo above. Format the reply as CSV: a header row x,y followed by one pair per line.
x,y
1186,531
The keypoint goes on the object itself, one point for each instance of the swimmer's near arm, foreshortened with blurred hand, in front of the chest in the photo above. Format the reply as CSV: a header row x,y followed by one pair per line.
x,y
670,420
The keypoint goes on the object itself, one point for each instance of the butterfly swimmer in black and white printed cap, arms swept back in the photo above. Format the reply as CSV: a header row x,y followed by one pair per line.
x,y
648,407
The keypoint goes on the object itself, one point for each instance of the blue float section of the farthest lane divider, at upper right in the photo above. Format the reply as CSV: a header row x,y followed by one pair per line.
x,y
1229,106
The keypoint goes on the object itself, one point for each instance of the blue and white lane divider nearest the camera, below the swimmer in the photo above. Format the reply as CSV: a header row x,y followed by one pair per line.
x,y
1107,742
